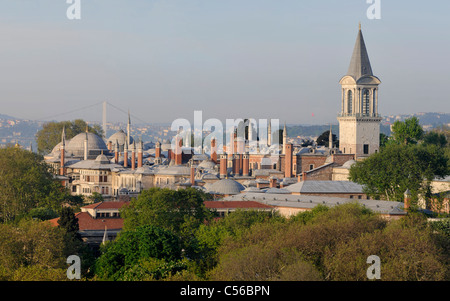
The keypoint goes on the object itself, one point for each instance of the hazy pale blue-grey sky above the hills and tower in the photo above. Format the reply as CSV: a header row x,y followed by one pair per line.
x,y
165,59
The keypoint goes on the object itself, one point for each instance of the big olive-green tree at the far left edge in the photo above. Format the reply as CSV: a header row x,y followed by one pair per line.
x,y
26,183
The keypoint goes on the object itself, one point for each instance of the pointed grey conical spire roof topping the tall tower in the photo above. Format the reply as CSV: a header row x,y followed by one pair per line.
x,y
359,63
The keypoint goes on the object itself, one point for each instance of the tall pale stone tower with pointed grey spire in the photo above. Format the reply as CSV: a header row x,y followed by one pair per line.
x,y
359,121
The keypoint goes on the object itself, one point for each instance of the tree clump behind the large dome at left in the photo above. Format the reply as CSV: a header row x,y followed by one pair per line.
x,y
50,134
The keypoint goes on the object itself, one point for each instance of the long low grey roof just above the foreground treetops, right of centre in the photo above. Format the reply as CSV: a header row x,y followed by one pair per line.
x,y
309,202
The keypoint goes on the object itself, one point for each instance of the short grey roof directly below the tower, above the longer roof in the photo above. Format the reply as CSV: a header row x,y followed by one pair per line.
x,y
325,187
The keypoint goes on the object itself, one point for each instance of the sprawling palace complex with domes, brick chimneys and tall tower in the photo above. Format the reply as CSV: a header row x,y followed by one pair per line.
x,y
120,167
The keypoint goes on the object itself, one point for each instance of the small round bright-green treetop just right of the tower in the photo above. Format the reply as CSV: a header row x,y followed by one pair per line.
x,y
407,132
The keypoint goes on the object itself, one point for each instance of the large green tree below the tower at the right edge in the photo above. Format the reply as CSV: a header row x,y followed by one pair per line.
x,y
398,167
